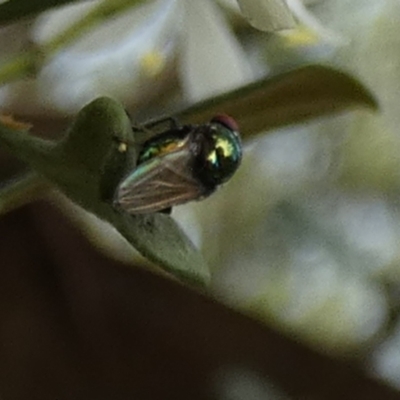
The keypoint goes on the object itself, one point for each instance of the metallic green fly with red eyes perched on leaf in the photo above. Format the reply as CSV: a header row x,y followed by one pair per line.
x,y
181,164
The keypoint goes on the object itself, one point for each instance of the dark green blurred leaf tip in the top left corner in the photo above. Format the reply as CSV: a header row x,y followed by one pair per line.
x,y
14,10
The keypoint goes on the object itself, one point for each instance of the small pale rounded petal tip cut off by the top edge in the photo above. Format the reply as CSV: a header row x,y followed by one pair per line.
x,y
267,15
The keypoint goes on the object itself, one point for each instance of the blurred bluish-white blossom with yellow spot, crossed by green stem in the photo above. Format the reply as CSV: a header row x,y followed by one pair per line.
x,y
129,57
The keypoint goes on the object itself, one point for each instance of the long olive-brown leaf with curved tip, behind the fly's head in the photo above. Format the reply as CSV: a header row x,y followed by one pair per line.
x,y
285,99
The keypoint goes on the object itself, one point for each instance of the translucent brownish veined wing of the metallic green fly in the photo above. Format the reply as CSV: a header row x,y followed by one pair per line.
x,y
160,183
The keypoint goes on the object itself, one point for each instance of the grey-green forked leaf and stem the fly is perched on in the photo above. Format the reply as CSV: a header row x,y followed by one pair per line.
x,y
80,166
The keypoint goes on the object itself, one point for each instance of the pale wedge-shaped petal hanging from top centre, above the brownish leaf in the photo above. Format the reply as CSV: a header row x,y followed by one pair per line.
x,y
212,59
